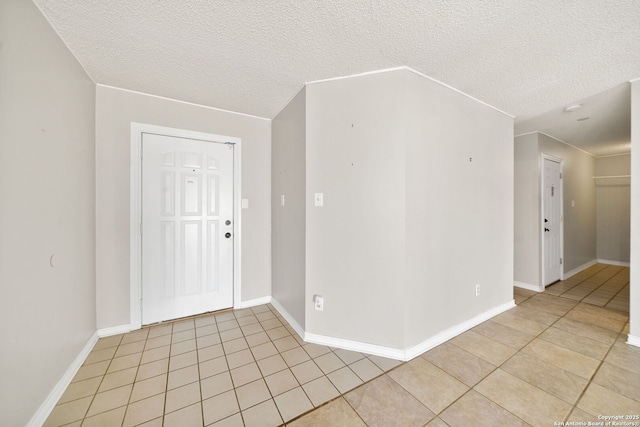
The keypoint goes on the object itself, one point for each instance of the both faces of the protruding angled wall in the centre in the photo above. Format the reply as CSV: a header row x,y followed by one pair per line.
x,y
405,208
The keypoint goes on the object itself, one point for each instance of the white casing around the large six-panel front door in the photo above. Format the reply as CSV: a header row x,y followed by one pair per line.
x,y
135,209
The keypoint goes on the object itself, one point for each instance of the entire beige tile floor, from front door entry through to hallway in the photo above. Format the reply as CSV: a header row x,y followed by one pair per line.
x,y
551,359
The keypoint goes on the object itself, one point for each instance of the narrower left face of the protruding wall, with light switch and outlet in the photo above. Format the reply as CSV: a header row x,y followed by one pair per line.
x,y
355,242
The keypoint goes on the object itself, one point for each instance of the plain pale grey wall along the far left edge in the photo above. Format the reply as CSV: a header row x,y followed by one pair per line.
x,y
47,190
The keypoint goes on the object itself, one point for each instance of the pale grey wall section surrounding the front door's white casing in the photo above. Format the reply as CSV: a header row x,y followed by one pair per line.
x,y
115,110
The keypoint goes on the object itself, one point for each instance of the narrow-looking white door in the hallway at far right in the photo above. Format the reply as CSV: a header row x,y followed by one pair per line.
x,y
552,220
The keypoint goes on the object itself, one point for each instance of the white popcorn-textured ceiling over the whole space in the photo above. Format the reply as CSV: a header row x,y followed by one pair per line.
x,y
528,58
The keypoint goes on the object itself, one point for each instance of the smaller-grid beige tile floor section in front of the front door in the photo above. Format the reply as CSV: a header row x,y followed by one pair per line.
x,y
241,367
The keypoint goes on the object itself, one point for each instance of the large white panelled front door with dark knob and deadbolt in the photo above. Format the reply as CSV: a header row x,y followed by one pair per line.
x,y
187,229
